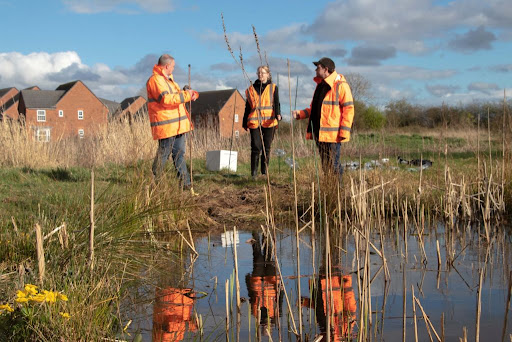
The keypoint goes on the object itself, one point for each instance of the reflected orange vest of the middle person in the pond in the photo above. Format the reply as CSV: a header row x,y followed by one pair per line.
x,y
264,294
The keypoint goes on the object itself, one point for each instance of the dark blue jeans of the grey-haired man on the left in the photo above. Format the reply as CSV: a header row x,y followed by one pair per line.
x,y
177,146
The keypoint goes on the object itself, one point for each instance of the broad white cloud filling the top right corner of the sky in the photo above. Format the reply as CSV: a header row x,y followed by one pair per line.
x,y
405,24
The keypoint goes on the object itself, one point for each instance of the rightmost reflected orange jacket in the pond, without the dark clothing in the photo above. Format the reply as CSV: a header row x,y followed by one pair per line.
x,y
343,306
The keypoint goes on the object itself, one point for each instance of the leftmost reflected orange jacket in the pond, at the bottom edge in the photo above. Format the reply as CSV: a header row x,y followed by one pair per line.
x,y
171,311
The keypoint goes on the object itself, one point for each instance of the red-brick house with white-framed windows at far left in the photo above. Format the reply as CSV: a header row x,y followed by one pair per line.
x,y
72,110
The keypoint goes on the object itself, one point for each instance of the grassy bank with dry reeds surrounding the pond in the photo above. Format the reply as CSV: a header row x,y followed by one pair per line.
x,y
50,185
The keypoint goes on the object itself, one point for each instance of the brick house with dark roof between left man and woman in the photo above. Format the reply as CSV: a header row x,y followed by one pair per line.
x,y
219,110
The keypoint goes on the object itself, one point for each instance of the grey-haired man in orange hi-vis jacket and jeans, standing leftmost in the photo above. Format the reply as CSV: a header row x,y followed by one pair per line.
x,y
169,118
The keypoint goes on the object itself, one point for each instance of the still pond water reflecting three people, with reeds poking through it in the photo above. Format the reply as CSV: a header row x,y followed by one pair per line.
x,y
189,301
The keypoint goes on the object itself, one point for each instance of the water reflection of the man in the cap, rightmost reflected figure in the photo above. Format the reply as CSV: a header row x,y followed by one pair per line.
x,y
342,304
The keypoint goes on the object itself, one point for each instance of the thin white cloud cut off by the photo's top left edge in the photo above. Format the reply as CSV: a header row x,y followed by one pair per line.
x,y
121,6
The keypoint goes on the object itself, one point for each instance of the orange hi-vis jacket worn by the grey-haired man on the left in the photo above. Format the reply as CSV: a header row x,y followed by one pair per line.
x,y
166,106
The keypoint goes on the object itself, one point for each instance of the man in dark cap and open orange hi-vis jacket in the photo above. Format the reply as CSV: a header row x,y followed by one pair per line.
x,y
330,115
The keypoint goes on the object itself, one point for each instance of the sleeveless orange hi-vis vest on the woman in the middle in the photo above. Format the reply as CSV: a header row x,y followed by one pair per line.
x,y
262,109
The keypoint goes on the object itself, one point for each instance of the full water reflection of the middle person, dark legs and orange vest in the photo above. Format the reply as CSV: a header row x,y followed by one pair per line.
x,y
263,284
